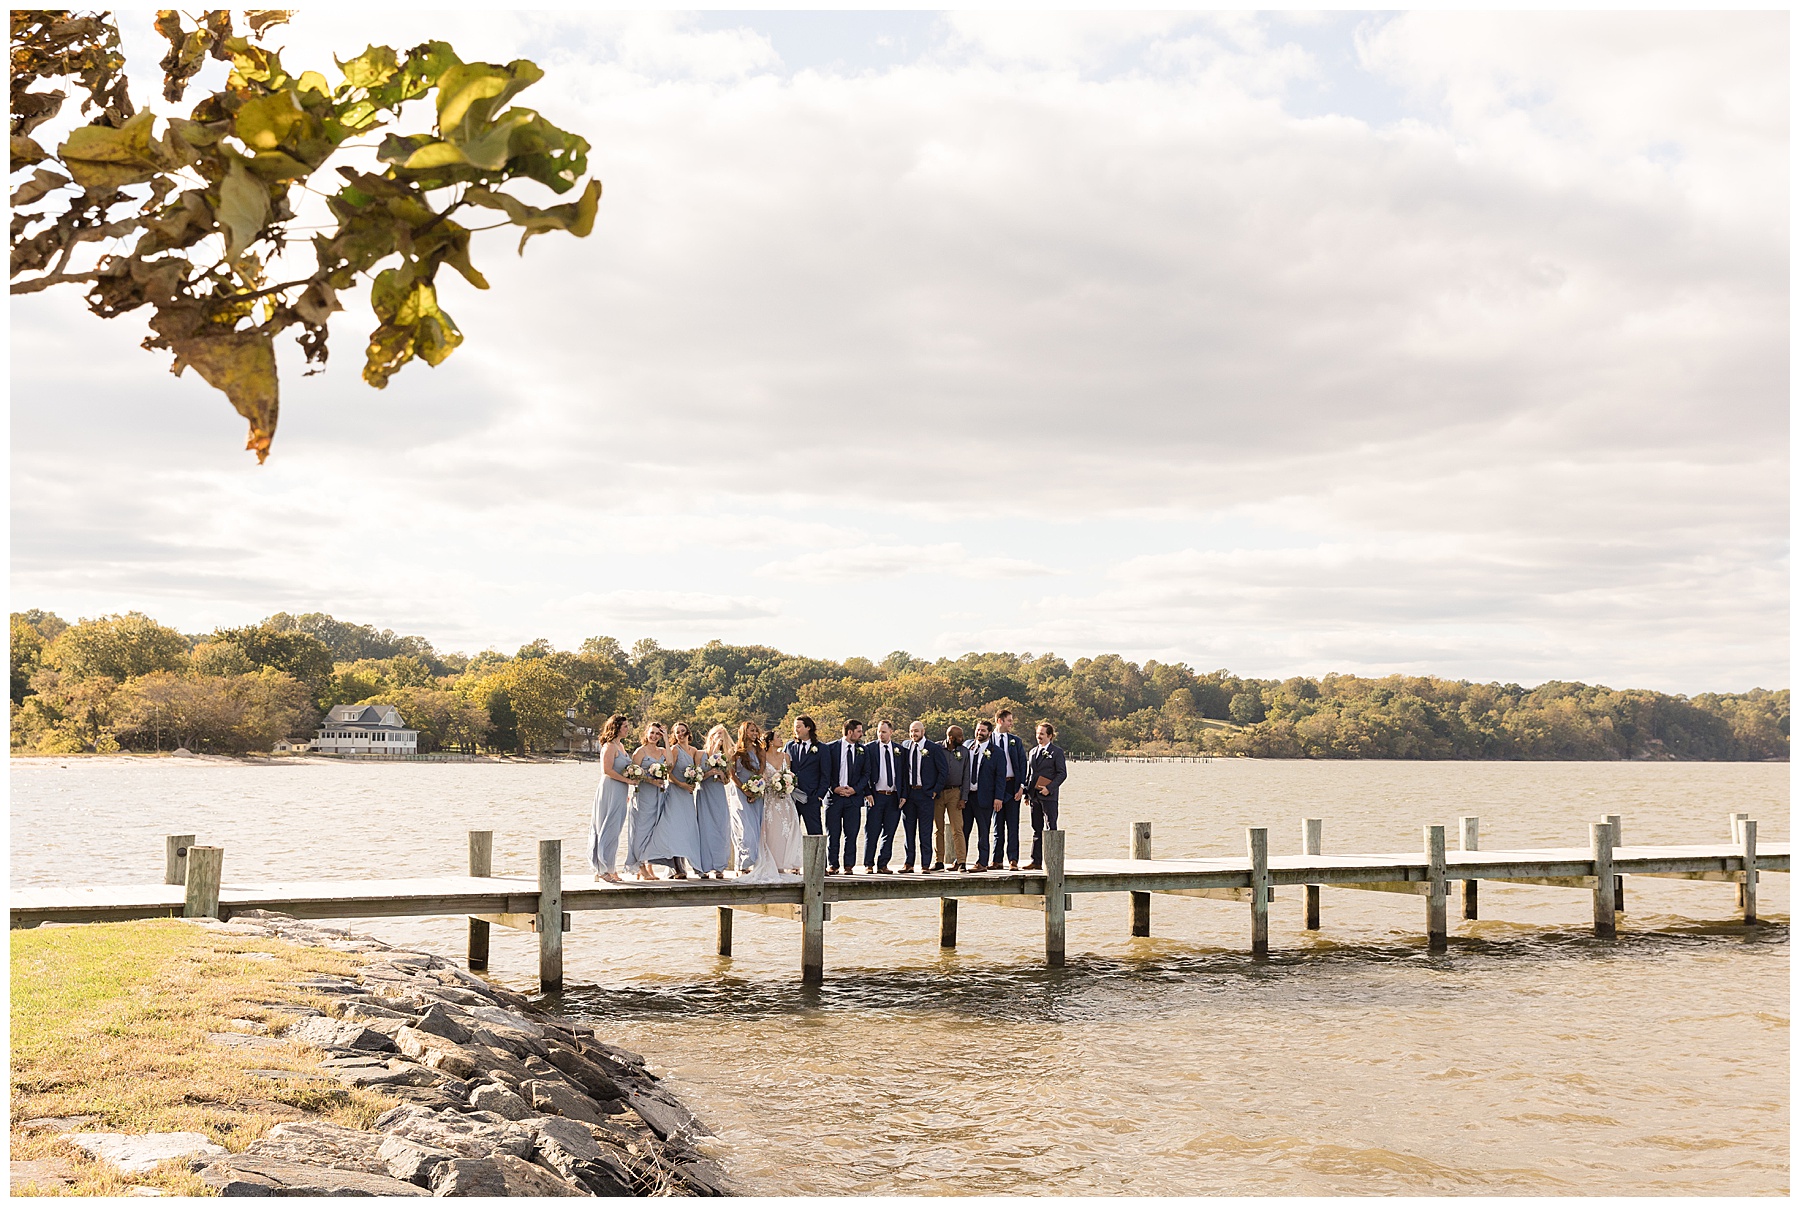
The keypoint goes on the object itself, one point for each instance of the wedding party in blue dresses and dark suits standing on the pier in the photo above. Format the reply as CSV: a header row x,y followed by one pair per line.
x,y
741,805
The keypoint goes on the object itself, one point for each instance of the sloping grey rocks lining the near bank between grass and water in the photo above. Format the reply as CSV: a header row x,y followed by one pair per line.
x,y
498,1096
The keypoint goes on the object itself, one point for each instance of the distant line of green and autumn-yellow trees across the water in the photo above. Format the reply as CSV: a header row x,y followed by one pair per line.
x,y
129,683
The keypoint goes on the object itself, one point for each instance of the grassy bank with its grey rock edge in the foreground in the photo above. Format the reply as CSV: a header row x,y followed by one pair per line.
x,y
271,1057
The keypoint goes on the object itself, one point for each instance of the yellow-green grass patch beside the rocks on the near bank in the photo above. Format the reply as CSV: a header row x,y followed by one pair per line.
x,y
112,1021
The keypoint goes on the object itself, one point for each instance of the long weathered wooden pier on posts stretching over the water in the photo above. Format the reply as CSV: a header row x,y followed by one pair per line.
x,y
195,888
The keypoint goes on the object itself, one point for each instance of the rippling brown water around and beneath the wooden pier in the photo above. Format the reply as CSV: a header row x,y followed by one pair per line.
x,y
1527,1060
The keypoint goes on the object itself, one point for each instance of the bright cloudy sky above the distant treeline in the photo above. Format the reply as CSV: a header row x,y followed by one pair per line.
x,y
1434,343
